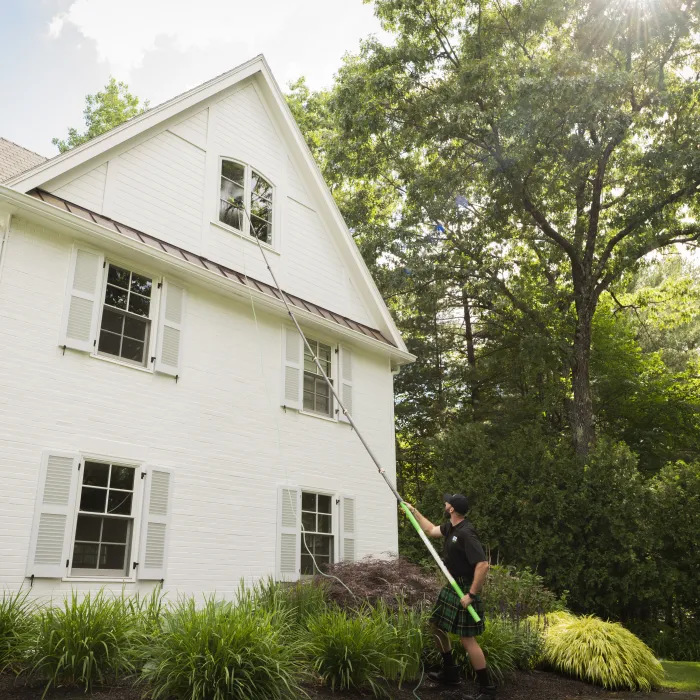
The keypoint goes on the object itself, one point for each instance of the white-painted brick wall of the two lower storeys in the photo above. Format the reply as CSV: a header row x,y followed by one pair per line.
x,y
220,427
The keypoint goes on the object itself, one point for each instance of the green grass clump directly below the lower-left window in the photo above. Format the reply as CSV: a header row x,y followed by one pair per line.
x,y
89,639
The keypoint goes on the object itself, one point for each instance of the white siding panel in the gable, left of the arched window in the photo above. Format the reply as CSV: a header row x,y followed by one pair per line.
x,y
159,189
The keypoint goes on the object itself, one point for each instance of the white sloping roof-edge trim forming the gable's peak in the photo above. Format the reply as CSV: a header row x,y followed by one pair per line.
x,y
151,122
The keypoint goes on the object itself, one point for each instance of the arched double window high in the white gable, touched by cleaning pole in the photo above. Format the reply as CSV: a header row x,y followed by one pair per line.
x,y
246,200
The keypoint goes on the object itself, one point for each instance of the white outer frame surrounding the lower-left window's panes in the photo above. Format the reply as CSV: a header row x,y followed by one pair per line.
x,y
136,514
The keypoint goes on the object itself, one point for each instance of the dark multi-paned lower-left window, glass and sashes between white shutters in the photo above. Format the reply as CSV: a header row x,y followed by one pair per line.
x,y
105,525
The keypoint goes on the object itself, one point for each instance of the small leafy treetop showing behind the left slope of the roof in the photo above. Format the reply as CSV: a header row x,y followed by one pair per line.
x,y
103,111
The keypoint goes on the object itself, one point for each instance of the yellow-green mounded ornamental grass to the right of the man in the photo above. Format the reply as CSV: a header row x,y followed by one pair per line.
x,y
602,653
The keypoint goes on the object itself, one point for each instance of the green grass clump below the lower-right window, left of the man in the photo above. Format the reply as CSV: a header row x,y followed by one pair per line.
x,y
351,650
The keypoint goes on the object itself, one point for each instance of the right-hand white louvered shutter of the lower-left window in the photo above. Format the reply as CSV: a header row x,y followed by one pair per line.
x,y
155,524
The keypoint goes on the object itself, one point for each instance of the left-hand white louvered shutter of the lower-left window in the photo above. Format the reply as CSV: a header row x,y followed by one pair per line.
x,y
54,513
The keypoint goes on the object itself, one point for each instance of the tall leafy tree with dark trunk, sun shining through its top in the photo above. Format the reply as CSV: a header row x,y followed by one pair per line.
x,y
567,131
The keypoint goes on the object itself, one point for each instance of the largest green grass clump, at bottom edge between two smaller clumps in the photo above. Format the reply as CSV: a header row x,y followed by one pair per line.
x,y
223,650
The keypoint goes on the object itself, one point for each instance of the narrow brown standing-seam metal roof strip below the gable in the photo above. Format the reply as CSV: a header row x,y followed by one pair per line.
x,y
199,261
